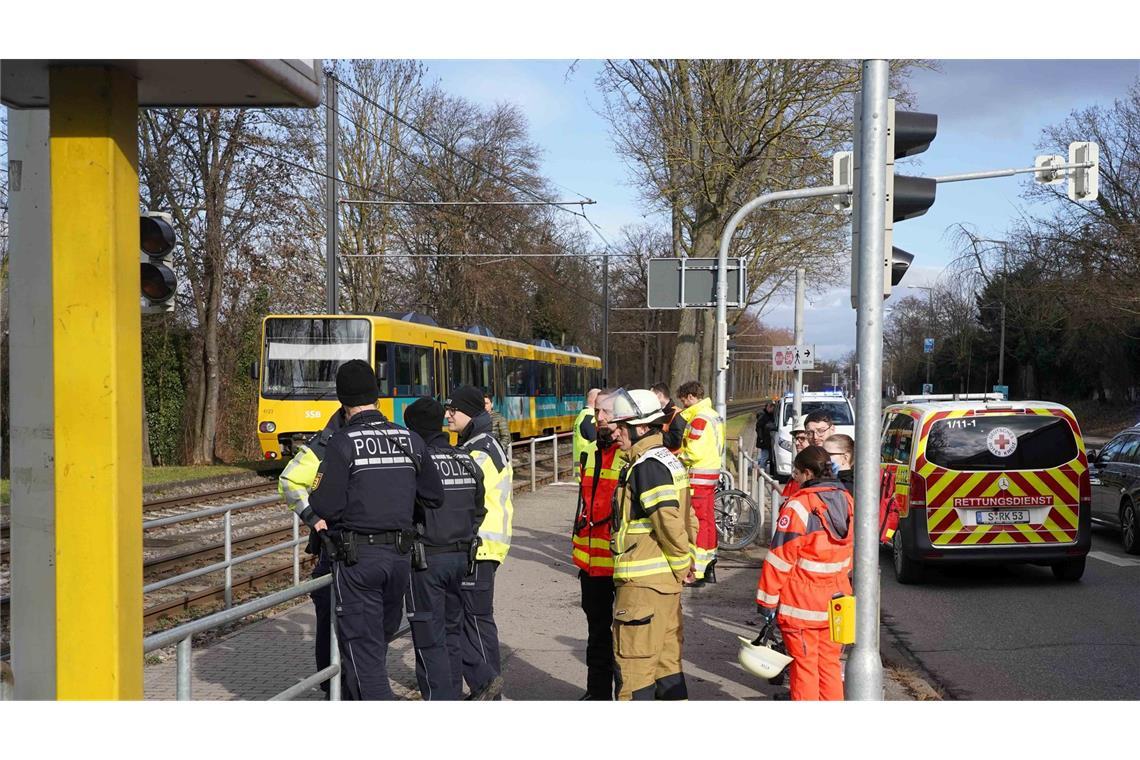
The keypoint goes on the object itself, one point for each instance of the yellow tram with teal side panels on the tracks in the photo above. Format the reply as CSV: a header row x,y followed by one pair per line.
x,y
540,388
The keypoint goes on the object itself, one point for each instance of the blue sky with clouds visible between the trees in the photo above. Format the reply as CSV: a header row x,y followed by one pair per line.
x,y
990,117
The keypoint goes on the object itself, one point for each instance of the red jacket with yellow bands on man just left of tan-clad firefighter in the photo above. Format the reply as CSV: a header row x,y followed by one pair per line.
x,y
591,543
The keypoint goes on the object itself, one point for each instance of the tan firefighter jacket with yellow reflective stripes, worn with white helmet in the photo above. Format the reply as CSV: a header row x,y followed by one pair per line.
x,y
654,527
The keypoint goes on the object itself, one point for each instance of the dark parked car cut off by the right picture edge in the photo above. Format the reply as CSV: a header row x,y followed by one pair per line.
x,y
1115,478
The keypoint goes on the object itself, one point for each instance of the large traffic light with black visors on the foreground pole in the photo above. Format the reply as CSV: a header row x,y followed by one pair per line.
x,y
908,134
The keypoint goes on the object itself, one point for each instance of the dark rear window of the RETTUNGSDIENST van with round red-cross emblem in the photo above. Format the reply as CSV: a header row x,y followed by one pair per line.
x,y
1001,443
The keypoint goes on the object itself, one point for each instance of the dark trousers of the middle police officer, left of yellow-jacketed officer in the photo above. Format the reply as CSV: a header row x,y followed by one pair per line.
x,y
436,616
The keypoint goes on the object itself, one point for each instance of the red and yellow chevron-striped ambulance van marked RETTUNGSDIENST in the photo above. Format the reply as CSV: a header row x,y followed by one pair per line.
x,y
975,479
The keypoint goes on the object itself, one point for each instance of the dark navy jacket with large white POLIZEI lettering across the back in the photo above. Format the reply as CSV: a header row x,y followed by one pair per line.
x,y
373,473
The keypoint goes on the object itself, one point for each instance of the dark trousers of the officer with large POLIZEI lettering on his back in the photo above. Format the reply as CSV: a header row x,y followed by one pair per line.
x,y
370,608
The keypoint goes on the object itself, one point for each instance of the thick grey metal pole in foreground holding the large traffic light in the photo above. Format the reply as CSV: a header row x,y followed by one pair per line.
x,y
865,667
